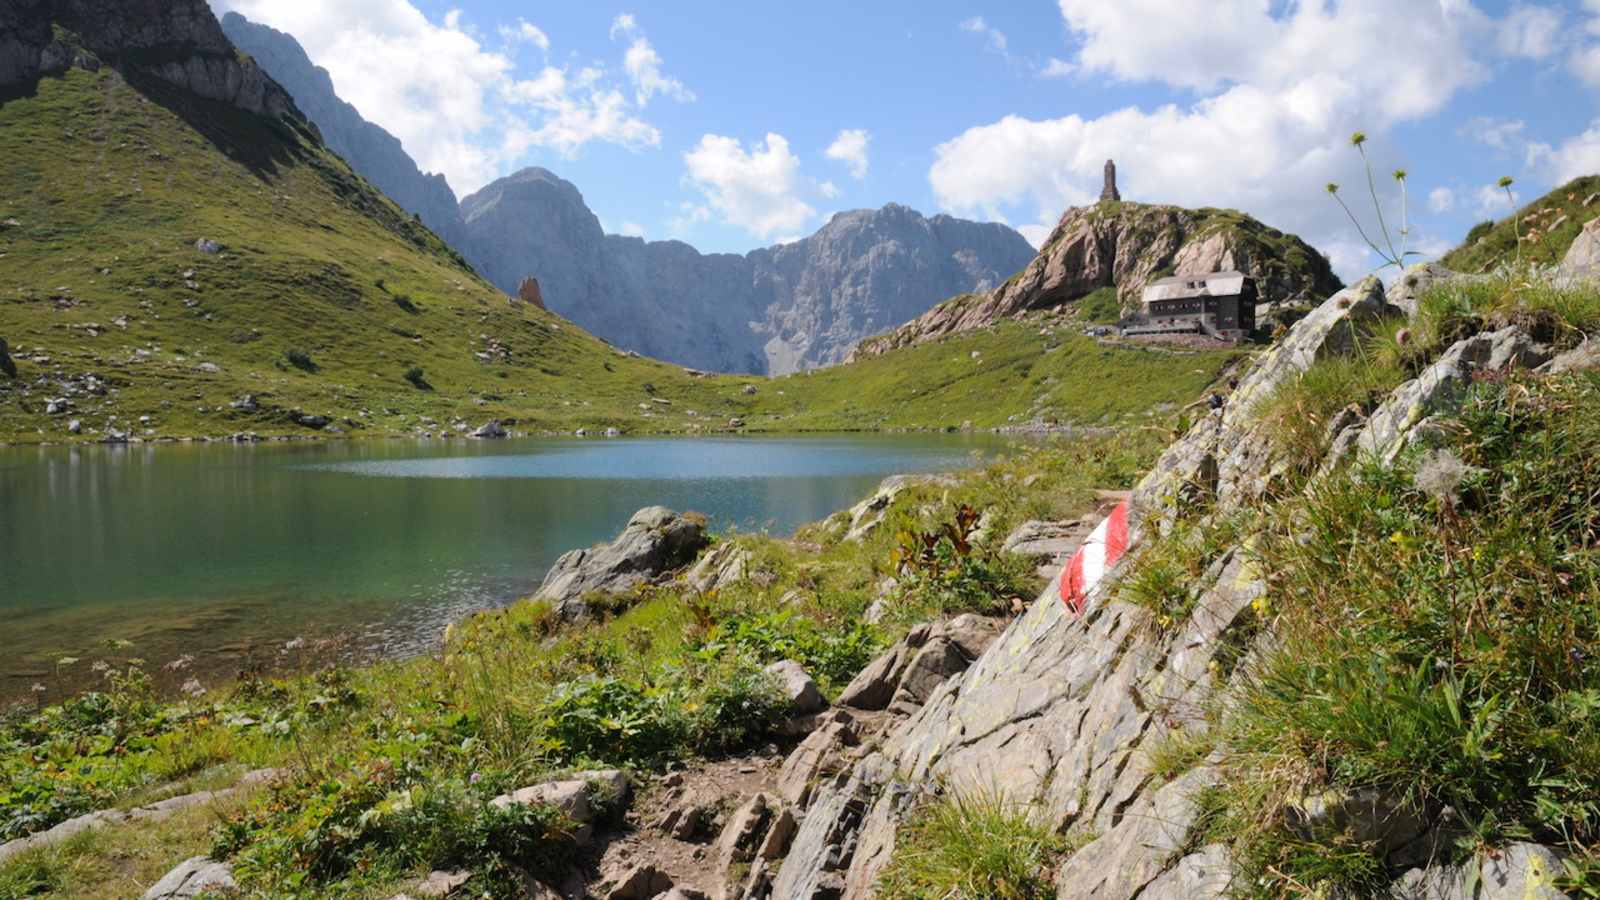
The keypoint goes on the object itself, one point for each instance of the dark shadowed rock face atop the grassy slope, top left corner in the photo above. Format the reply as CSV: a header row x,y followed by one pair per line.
x,y
175,41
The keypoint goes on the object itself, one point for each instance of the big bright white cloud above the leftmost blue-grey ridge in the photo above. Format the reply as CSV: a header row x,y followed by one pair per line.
x,y
458,106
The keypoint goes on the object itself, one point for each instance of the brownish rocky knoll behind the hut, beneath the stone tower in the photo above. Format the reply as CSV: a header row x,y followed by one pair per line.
x,y
1127,246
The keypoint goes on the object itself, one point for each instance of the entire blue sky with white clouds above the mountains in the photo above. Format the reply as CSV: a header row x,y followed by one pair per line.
x,y
740,126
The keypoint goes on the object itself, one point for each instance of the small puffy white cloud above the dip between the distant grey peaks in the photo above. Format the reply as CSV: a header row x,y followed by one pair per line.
x,y
756,190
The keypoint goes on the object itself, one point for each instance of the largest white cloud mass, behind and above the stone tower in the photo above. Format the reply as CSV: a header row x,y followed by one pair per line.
x,y
1268,127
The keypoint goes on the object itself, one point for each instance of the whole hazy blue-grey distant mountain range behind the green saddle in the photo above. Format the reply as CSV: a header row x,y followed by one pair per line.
x,y
770,311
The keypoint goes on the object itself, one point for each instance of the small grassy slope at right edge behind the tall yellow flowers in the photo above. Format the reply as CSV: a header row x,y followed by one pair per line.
x,y
1550,227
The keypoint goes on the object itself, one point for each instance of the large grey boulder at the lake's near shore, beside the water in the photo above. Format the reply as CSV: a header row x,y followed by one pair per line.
x,y
655,542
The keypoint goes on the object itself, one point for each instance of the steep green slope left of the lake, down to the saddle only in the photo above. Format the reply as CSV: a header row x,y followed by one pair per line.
x,y
324,297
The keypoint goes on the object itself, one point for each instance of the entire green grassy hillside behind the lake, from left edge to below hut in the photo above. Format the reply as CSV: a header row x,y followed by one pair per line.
x,y
327,295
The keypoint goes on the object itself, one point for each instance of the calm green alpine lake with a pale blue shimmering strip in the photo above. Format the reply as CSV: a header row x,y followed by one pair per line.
x,y
287,555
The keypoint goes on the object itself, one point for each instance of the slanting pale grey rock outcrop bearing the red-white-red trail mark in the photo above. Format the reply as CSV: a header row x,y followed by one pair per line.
x,y
1058,712
